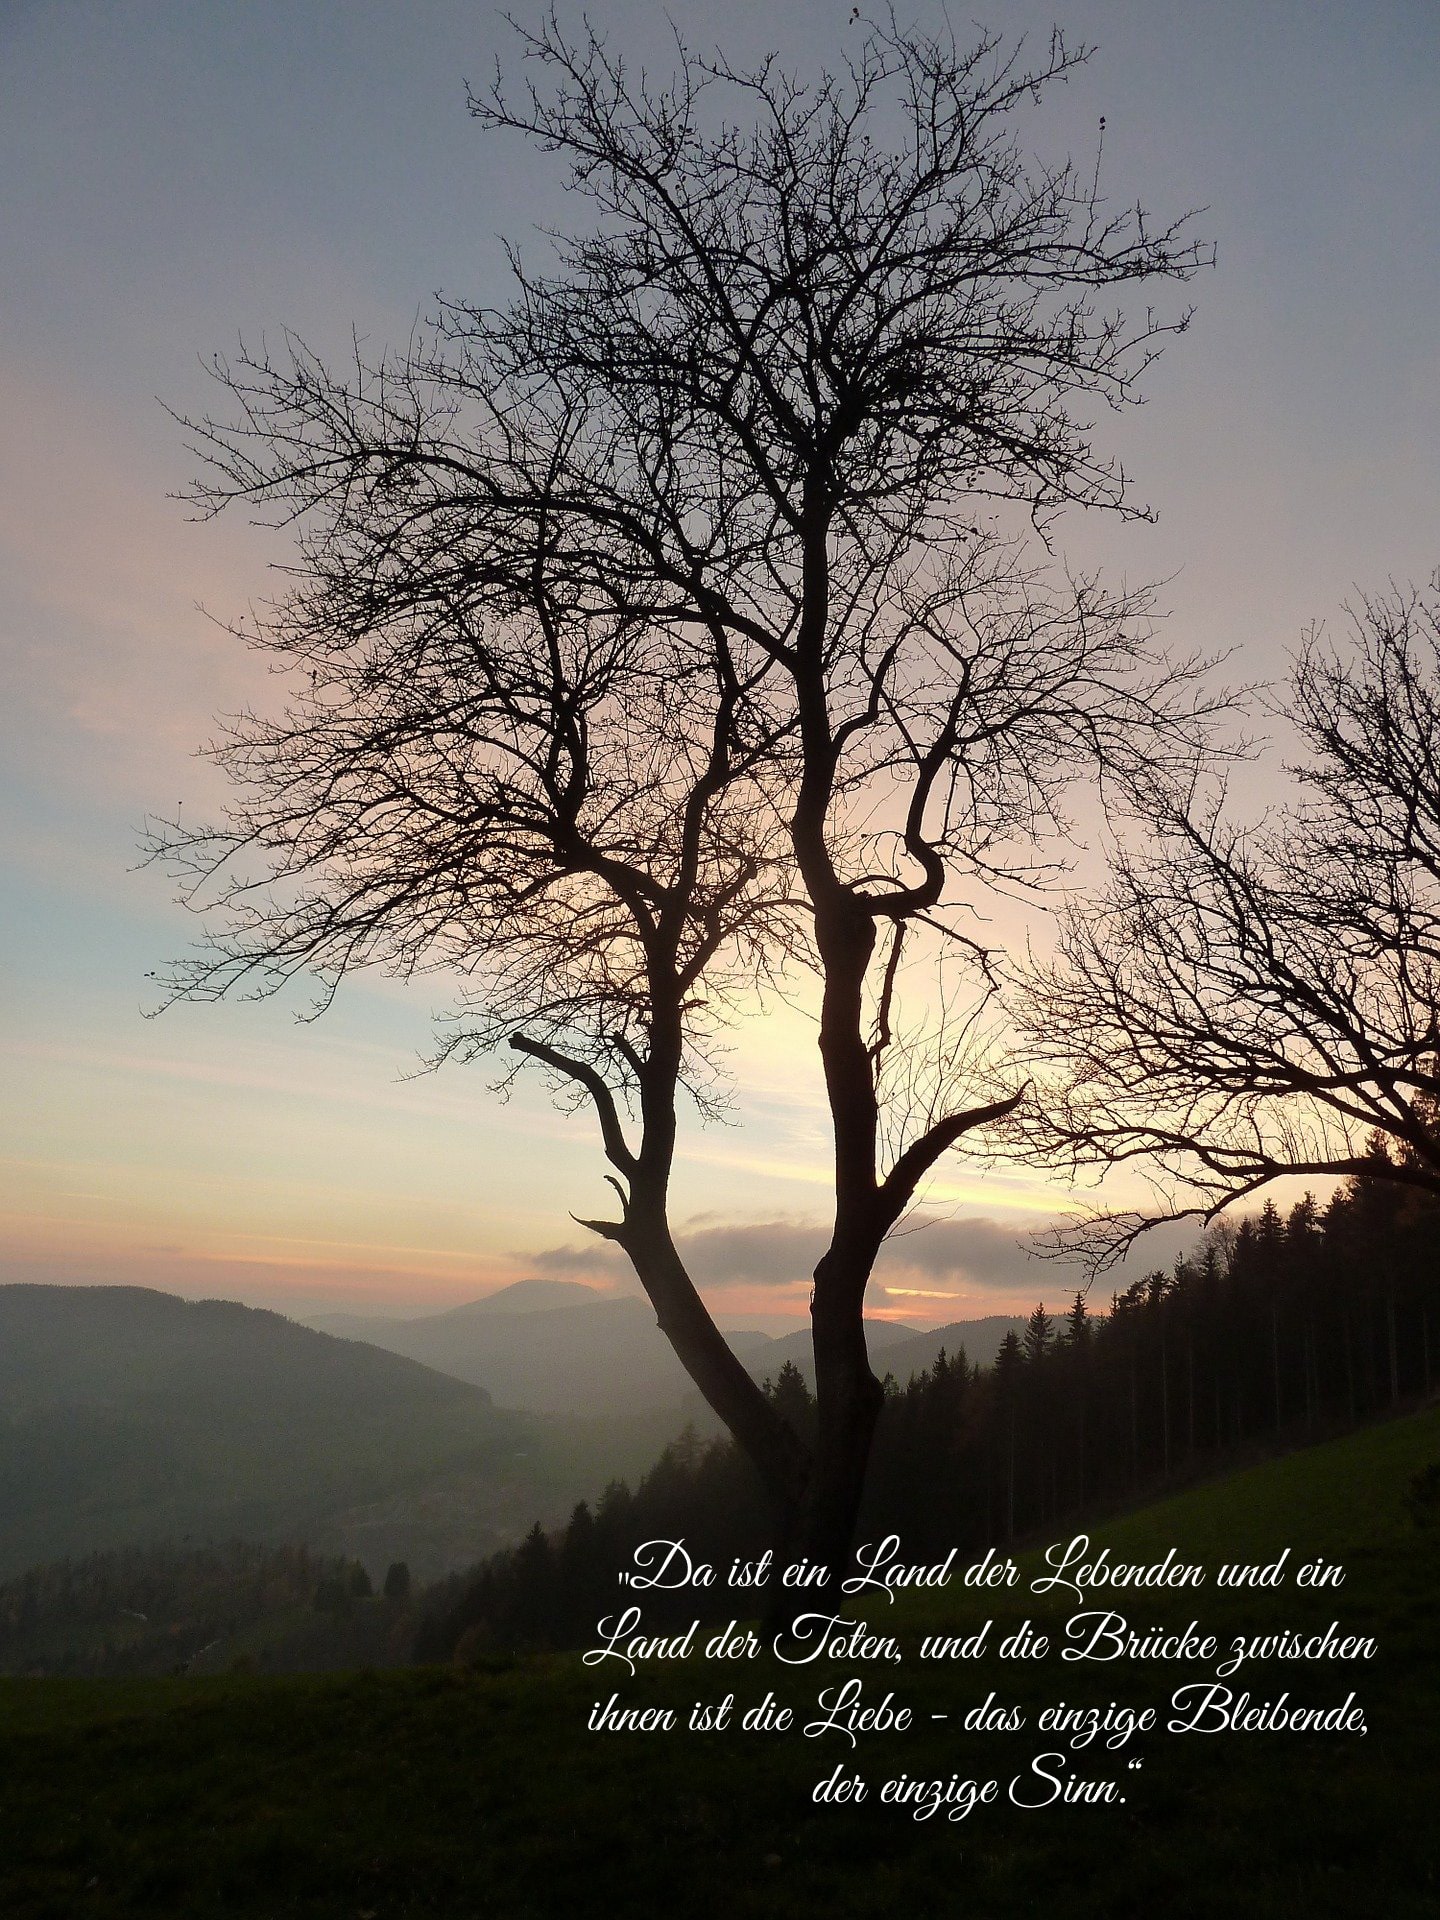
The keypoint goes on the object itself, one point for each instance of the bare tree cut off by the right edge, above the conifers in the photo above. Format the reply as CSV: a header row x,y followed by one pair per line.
x,y
1262,1001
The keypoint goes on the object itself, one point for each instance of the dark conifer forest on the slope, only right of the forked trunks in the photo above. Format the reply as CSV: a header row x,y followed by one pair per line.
x,y
1276,1332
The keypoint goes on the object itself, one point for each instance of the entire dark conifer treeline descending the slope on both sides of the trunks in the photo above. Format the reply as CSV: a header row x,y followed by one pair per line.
x,y
1268,1333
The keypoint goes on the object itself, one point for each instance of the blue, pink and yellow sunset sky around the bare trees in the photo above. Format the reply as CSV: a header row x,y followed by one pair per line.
x,y
181,174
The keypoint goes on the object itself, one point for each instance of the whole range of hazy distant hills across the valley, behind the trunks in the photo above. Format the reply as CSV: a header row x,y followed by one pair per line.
x,y
132,1416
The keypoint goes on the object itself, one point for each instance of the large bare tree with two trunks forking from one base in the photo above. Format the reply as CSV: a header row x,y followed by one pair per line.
x,y
656,644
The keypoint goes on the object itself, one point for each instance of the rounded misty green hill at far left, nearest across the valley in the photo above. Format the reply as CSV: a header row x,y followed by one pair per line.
x,y
130,1414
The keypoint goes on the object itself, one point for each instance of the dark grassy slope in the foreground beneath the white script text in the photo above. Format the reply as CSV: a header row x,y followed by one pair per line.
x,y
456,1792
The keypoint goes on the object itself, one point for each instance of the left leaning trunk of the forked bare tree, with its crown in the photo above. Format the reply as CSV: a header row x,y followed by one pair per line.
x,y
573,809
